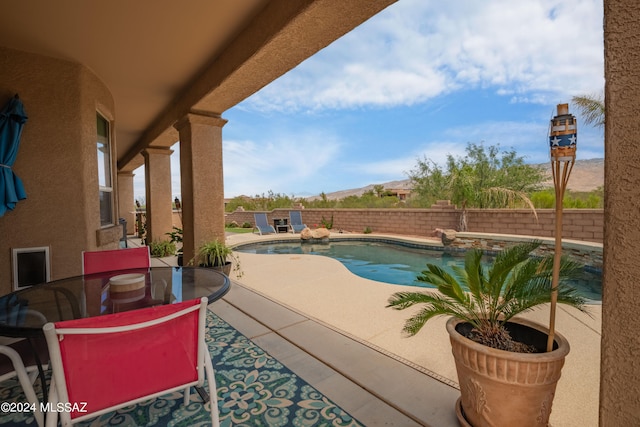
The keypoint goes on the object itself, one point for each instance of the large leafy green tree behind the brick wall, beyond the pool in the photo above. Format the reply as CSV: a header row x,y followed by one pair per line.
x,y
484,178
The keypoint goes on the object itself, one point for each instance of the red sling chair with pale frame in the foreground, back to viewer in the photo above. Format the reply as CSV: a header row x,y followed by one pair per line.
x,y
116,360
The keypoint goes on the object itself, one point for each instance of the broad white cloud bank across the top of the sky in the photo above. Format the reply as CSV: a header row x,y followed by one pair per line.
x,y
416,50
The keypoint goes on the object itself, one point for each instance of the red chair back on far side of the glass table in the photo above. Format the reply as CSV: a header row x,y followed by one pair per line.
x,y
117,259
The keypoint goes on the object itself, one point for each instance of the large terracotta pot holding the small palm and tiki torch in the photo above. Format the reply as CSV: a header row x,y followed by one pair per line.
x,y
502,388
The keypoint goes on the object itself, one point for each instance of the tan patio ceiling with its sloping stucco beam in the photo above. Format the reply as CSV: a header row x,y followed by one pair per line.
x,y
162,59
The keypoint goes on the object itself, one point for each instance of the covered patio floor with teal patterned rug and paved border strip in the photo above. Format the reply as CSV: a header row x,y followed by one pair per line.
x,y
277,366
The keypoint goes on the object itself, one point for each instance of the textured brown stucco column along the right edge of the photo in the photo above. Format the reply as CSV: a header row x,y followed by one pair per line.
x,y
620,369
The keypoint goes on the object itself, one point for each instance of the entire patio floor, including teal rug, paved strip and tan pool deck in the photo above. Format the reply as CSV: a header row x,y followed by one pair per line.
x,y
338,355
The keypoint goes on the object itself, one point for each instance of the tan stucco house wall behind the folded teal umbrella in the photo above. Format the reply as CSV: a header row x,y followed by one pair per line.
x,y
57,160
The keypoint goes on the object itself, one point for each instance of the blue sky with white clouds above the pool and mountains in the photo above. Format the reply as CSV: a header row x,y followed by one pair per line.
x,y
421,79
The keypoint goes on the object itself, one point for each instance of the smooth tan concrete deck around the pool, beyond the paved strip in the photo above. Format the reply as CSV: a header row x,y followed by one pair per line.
x,y
325,291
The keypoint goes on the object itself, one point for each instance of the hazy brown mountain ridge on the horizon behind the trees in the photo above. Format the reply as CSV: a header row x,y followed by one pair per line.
x,y
587,175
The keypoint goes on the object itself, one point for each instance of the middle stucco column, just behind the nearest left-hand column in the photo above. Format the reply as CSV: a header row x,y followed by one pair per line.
x,y
157,172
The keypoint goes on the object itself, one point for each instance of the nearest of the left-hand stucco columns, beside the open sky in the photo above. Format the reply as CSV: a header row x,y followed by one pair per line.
x,y
202,180
